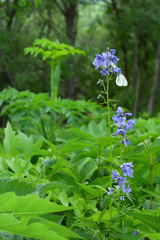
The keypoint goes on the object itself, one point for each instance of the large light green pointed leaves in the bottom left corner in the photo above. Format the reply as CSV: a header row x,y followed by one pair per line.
x,y
24,216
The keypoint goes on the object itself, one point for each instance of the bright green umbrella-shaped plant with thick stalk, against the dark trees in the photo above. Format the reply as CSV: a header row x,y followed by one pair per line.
x,y
54,53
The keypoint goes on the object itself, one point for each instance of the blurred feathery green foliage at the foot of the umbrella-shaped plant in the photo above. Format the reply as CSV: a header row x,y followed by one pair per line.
x,y
35,113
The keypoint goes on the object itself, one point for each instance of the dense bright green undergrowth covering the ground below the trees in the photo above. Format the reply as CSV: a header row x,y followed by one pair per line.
x,y
56,187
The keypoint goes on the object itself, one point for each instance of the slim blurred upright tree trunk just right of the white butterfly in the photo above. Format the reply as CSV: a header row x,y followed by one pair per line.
x,y
137,78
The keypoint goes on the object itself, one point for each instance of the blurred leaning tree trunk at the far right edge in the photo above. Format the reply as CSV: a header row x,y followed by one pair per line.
x,y
155,81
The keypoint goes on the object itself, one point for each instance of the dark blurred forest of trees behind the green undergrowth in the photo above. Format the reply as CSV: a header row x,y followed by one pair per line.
x,y
131,27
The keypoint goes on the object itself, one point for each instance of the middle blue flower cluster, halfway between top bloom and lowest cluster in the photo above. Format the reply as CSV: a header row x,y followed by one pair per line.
x,y
123,126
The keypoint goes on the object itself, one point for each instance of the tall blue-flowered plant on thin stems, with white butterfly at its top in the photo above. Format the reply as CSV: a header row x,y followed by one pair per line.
x,y
107,63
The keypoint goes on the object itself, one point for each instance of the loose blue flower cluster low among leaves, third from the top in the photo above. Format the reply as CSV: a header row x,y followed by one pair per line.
x,y
122,181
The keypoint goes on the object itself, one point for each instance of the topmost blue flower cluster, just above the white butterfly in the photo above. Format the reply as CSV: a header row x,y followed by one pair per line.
x,y
107,62
